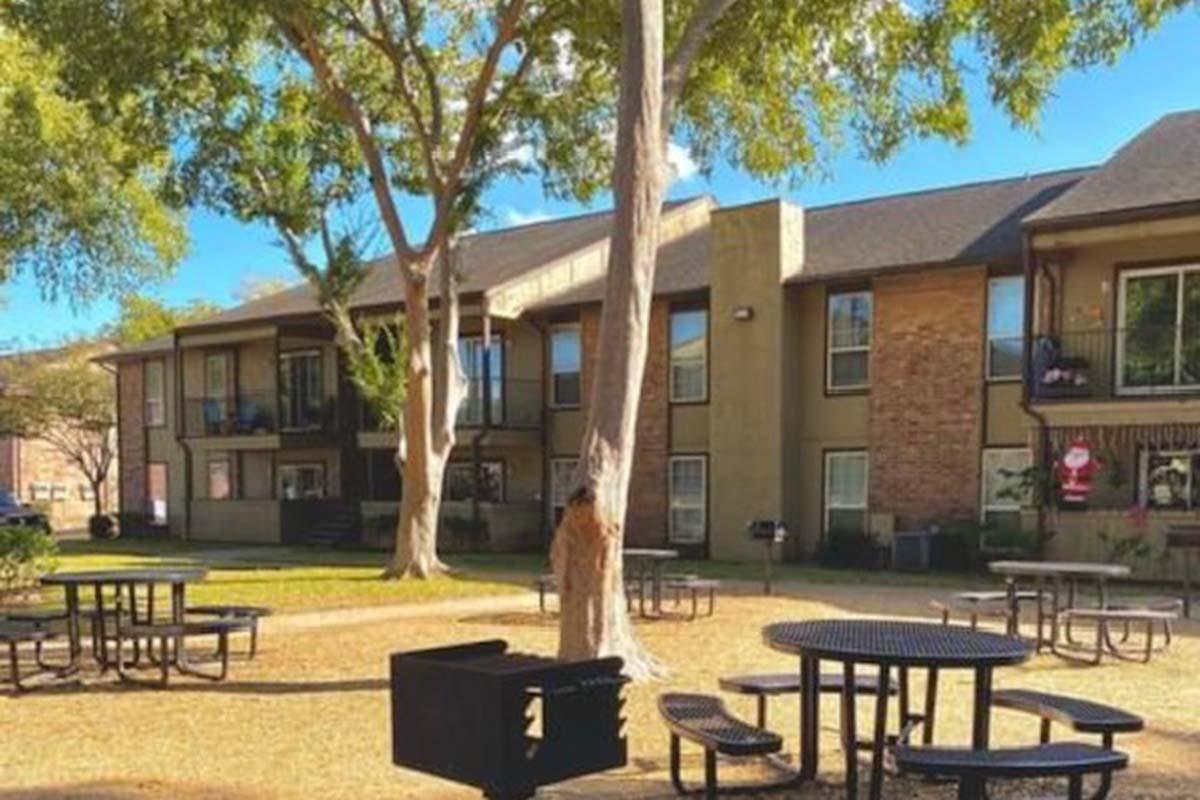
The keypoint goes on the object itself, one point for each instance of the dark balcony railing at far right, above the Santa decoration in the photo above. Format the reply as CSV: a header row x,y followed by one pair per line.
x,y
1117,363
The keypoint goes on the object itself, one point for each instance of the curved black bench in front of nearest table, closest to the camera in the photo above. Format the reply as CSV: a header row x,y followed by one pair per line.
x,y
974,768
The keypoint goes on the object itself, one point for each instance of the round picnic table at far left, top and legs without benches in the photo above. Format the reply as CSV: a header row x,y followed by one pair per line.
x,y
128,580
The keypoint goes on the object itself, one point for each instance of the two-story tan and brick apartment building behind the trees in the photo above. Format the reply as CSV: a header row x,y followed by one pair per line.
x,y
868,366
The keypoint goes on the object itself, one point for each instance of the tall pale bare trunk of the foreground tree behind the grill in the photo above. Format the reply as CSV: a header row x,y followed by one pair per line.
x,y
587,550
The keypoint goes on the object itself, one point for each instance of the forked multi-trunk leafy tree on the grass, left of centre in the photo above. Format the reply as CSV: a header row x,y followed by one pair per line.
x,y
427,99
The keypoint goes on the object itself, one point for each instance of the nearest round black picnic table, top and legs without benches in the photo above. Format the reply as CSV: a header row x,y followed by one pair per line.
x,y
887,646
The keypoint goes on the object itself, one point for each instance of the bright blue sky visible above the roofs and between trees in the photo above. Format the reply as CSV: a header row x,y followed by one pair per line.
x,y
1091,115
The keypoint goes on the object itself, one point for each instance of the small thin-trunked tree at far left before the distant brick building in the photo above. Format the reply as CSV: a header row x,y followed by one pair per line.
x,y
68,402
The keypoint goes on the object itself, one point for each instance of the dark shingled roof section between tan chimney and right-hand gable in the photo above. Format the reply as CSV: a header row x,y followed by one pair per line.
x,y
973,224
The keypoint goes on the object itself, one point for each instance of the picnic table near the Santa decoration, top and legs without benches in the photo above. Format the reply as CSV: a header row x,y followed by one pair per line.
x,y
1061,575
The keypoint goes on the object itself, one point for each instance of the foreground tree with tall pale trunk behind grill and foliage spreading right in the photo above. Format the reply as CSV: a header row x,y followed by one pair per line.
x,y
775,87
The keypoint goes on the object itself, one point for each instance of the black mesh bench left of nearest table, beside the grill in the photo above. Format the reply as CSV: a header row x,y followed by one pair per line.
x,y
704,720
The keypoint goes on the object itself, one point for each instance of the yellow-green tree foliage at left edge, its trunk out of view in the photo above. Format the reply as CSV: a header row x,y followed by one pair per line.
x,y
81,204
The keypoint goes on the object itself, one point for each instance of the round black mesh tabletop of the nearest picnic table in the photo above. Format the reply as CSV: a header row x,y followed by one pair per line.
x,y
896,643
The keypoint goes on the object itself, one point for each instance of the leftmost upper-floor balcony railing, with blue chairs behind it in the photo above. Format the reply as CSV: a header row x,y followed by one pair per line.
x,y
256,413
